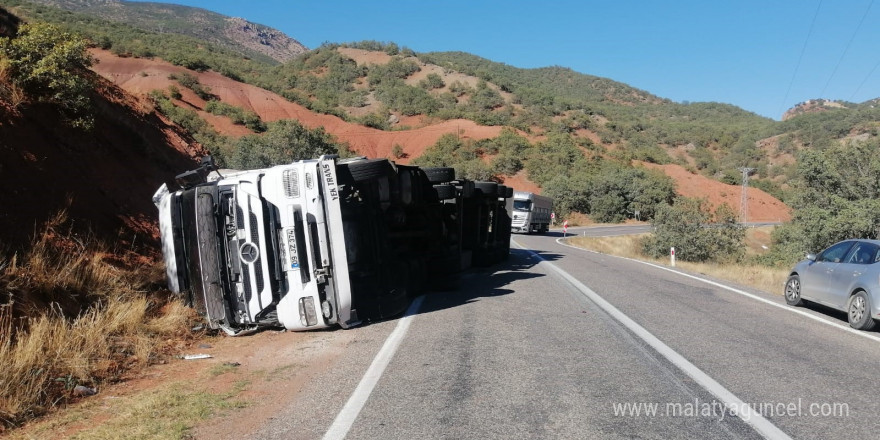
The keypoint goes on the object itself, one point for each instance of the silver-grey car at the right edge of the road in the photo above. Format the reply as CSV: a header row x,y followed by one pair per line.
x,y
846,277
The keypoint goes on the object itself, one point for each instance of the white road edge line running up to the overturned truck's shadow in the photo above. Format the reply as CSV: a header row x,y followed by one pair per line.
x,y
346,417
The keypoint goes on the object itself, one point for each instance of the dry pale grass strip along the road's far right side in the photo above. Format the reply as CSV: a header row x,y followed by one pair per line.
x,y
760,277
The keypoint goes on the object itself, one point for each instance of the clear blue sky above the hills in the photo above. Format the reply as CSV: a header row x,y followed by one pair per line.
x,y
764,56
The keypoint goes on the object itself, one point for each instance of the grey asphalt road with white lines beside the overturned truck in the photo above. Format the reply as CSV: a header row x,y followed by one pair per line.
x,y
564,343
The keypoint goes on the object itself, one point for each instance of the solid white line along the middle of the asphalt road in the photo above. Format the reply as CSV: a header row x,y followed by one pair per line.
x,y
756,420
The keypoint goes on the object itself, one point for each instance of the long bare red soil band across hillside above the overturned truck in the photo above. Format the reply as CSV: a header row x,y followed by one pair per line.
x,y
140,76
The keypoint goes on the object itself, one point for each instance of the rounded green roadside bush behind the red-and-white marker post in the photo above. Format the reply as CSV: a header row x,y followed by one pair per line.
x,y
695,232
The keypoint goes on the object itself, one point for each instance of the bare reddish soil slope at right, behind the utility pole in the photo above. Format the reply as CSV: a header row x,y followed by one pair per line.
x,y
762,207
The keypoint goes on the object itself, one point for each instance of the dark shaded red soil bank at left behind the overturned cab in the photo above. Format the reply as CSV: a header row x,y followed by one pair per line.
x,y
105,177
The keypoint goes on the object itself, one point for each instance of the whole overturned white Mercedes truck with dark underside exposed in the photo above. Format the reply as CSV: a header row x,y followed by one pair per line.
x,y
324,242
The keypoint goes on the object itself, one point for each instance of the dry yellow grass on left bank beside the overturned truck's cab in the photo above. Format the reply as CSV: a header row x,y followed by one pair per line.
x,y
70,318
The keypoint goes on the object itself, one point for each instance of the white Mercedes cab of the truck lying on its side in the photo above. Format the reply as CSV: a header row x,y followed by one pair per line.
x,y
255,246
